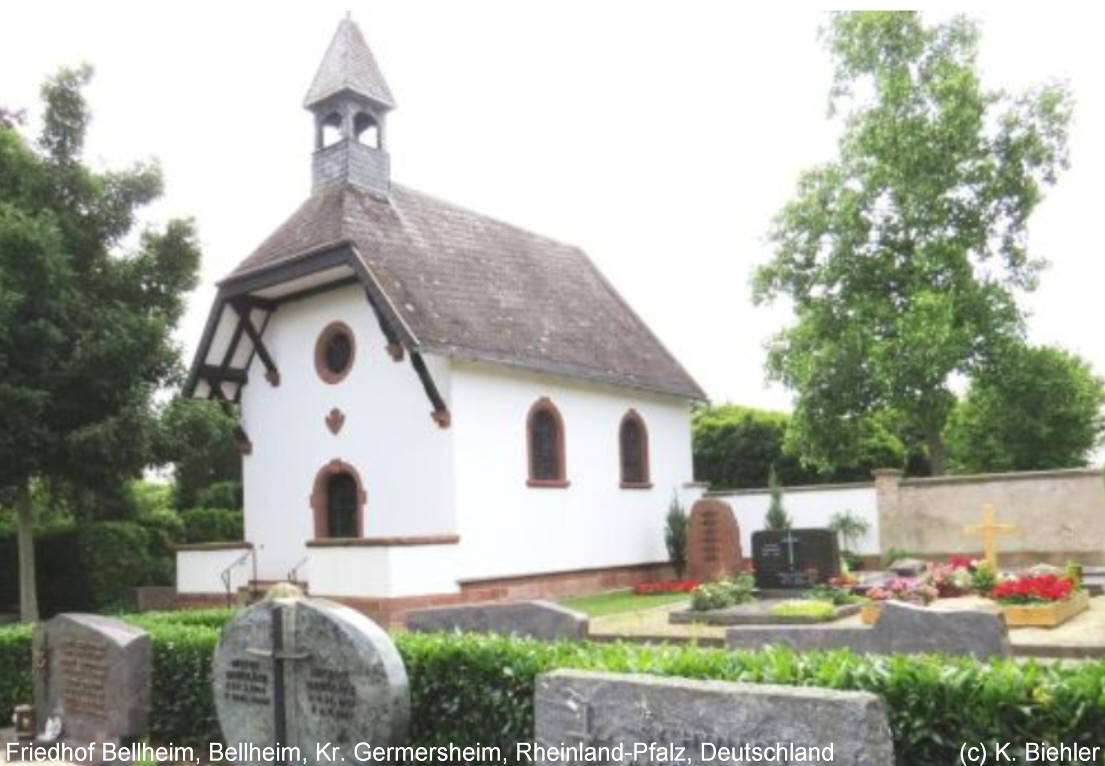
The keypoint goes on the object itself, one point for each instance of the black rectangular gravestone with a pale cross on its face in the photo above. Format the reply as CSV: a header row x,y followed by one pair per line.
x,y
795,559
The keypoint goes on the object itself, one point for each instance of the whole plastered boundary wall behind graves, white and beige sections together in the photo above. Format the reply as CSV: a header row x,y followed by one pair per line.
x,y
1060,515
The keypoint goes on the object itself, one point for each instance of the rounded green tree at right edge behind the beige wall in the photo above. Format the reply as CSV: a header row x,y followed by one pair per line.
x,y
1039,408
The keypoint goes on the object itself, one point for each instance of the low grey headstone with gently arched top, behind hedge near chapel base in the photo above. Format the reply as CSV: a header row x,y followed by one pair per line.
x,y
534,620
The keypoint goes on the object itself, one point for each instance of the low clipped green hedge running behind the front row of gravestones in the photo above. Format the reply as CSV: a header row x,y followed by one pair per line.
x,y
480,688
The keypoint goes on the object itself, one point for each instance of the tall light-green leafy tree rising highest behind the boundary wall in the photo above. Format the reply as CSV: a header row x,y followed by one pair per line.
x,y
902,257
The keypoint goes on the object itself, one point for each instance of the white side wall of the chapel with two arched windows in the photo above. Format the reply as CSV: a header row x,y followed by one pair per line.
x,y
510,529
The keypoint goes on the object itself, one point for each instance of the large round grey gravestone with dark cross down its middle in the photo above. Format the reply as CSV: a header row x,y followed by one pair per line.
x,y
301,673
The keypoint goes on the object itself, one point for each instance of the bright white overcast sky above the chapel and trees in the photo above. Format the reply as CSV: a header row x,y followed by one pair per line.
x,y
659,137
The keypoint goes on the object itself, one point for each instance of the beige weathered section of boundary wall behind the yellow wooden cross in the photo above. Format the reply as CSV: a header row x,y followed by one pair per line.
x,y
1060,515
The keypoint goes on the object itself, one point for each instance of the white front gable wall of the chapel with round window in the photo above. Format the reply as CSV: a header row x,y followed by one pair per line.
x,y
403,457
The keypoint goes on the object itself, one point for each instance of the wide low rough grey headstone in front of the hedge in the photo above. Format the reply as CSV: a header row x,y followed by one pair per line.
x,y
580,708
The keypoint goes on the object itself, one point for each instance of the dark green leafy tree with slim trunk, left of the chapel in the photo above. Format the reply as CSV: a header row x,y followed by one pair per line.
x,y
85,328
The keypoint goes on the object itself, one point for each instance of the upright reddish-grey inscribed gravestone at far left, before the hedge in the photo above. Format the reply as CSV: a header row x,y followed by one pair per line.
x,y
93,674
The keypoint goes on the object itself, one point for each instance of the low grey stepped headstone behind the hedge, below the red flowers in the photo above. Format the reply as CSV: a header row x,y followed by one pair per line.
x,y
902,628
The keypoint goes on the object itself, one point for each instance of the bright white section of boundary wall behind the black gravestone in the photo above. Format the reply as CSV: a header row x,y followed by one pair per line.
x,y
809,507
